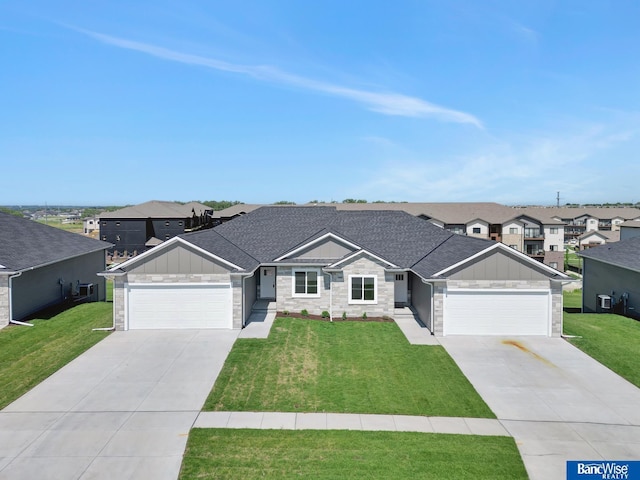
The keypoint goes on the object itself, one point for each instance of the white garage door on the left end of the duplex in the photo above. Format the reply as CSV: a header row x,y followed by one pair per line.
x,y
179,306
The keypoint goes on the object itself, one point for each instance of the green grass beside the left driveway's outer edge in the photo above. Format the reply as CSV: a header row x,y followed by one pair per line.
x,y
28,355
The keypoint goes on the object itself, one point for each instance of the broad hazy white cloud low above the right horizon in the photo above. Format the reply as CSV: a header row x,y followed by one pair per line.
x,y
531,170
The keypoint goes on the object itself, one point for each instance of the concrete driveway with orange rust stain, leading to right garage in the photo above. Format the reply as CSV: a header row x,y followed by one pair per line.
x,y
557,402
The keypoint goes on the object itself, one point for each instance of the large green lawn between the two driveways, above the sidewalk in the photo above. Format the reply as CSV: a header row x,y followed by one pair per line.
x,y
342,367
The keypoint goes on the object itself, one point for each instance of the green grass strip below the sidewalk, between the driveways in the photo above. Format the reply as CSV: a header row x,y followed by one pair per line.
x,y
277,454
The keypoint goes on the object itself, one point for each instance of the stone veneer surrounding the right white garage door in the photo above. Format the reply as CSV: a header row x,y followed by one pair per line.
x,y
556,298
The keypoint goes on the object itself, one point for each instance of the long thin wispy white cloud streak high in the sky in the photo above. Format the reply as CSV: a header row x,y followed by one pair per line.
x,y
388,103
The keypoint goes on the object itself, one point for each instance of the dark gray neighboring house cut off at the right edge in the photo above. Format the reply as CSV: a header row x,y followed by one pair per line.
x,y
611,278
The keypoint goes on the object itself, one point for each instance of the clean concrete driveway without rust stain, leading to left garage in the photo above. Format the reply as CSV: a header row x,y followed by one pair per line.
x,y
122,410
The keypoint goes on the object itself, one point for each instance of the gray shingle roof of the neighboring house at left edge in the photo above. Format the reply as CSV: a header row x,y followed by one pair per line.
x,y
26,243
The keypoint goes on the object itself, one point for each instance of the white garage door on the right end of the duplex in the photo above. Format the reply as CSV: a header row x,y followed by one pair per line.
x,y
491,312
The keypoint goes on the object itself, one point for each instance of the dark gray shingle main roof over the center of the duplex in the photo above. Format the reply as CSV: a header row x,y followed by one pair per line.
x,y
396,236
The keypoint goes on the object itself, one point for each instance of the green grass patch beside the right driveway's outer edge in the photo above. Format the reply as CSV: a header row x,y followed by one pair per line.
x,y
613,340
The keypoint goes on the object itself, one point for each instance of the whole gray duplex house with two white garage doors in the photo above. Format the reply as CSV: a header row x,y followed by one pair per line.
x,y
343,262
